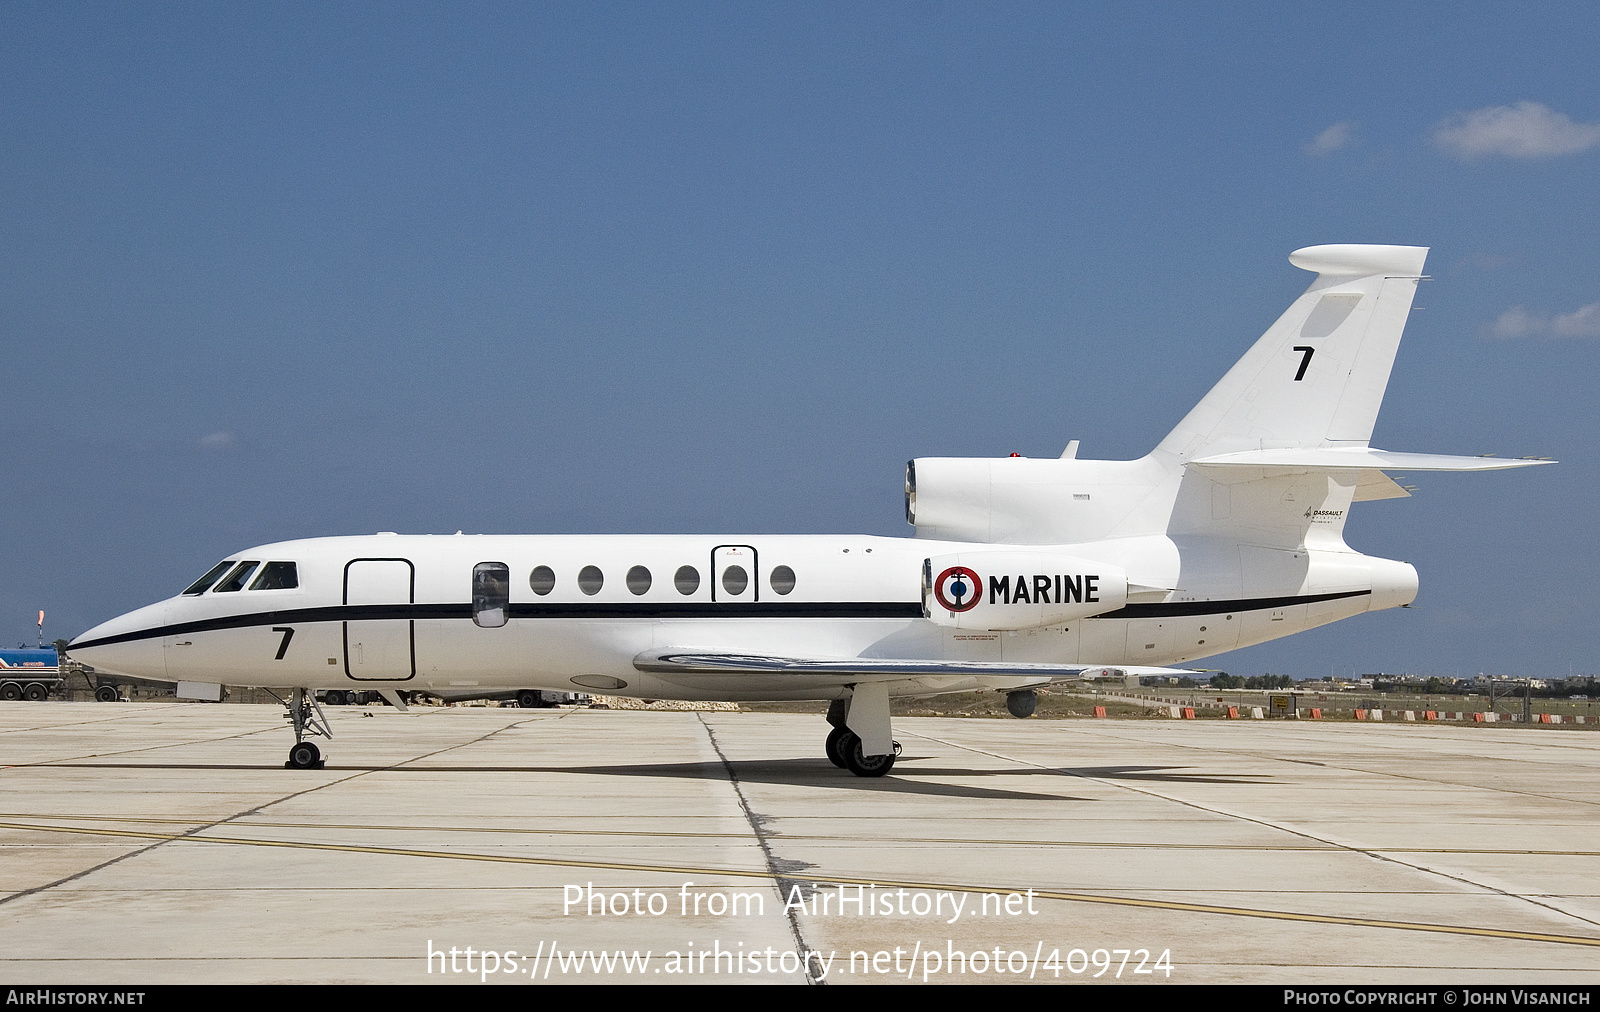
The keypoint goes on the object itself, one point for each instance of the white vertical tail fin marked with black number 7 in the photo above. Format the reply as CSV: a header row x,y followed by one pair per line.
x,y
1318,377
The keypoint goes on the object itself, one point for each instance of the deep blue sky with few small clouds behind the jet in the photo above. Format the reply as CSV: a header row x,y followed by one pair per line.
x,y
276,271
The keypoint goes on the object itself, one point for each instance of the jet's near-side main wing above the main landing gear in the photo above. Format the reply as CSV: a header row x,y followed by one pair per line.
x,y
878,670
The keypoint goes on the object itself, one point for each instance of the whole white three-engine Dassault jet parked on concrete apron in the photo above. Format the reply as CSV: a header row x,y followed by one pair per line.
x,y
1023,572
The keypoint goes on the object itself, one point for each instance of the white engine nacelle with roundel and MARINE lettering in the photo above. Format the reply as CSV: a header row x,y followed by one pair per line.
x,y
1018,590
